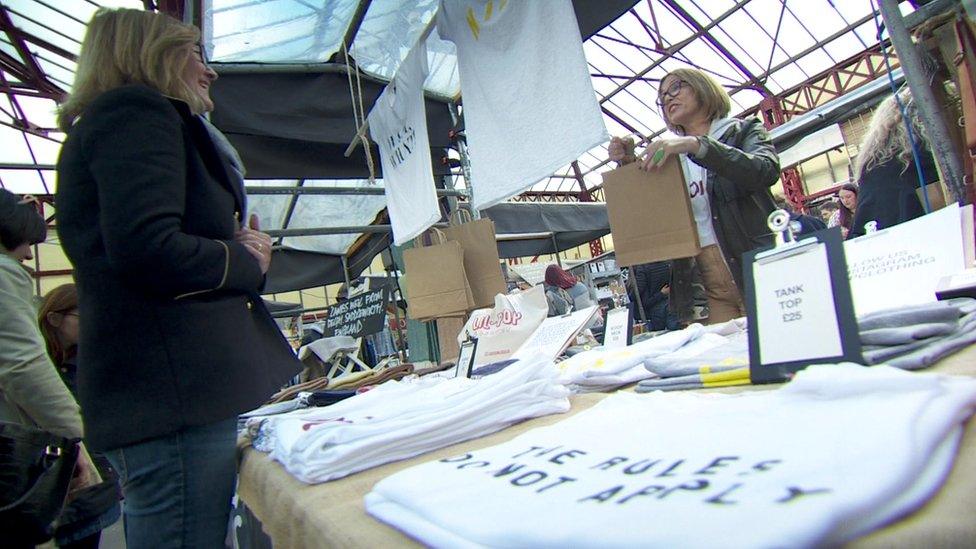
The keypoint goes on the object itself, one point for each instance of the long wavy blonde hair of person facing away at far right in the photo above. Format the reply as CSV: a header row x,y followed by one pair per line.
x,y
887,138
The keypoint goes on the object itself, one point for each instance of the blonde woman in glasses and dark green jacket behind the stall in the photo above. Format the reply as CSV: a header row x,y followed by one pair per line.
x,y
729,166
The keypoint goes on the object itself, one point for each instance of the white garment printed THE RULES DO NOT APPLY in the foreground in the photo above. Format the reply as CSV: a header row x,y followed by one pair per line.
x,y
837,452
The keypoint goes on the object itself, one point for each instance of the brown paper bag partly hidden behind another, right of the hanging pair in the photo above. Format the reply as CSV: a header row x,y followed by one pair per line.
x,y
481,263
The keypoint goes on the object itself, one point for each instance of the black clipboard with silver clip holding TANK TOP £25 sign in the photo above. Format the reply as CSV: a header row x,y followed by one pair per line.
x,y
799,305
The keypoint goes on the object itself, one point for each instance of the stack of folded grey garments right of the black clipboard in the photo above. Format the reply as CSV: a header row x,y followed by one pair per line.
x,y
916,336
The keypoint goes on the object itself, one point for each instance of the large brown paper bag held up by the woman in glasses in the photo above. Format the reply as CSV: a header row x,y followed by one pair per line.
x,y
650,214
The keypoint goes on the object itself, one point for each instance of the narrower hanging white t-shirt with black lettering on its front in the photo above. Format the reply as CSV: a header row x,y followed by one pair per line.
x,y
398,124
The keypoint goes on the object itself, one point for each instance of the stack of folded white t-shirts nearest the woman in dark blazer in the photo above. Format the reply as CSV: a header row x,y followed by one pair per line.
x,y
402,419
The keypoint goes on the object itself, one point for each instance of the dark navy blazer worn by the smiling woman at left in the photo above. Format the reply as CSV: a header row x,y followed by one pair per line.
x,y
173,330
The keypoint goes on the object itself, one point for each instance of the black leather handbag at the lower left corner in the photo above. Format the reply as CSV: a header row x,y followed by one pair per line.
x,y
35,471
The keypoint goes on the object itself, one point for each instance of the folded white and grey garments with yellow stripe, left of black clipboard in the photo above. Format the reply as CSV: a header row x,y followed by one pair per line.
x,y
712,360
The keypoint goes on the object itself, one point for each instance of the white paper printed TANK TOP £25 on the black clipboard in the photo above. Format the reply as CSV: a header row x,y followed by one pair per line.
x,y
795,309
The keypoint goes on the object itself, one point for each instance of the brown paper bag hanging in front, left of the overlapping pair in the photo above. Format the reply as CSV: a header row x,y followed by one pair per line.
x,y
435,278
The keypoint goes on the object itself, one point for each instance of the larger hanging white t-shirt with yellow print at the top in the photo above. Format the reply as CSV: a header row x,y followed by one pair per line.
x,y
529,105
